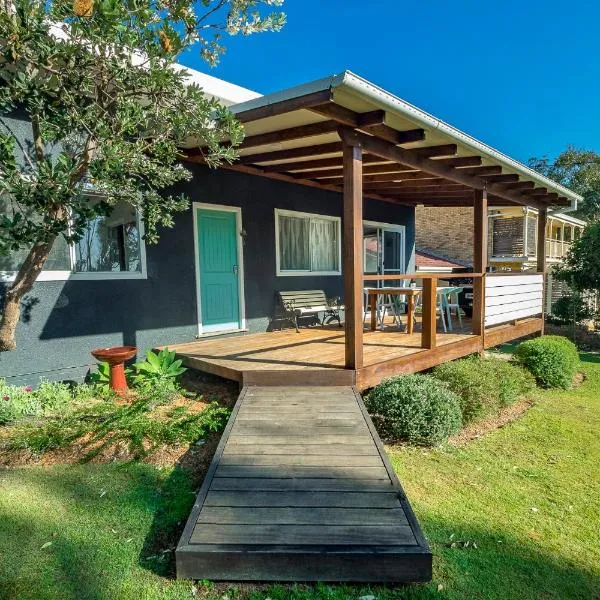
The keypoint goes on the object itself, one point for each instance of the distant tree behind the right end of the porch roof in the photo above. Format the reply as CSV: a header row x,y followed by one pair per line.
x,y
579,170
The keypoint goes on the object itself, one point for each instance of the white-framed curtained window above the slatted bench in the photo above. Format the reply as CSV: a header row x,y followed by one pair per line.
x,y
307,244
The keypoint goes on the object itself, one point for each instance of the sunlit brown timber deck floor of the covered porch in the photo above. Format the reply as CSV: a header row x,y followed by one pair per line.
x,y
316,356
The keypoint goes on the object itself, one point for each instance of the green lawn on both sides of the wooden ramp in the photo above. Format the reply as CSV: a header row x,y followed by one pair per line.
x,y
514,514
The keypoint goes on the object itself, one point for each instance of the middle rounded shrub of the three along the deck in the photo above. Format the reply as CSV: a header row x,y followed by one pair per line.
x,y
484,385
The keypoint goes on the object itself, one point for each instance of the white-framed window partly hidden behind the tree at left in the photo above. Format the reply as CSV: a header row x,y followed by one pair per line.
x,y
112,247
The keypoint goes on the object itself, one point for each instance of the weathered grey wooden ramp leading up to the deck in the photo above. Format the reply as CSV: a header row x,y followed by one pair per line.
x,y
300,489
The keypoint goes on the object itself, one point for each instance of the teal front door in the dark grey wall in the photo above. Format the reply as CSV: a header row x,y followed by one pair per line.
x,y
219,270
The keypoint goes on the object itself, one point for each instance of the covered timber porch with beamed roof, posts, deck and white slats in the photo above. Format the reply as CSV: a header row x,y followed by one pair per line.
x,y
345,135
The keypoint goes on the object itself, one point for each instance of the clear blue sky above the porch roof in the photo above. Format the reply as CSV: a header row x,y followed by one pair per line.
x,y
523,77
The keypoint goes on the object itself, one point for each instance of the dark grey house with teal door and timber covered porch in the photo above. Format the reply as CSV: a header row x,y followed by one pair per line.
x,y
322,198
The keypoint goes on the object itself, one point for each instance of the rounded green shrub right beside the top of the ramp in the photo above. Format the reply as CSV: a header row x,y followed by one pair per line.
x,y
416,409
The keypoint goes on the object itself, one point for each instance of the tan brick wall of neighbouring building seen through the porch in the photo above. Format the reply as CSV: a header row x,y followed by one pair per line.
x,y
447,231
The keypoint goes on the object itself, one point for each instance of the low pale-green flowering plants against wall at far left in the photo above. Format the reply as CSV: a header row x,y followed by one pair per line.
x,y
17,402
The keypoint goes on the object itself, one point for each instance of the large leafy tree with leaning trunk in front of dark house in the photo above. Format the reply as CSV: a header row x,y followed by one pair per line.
x,y
108,111
